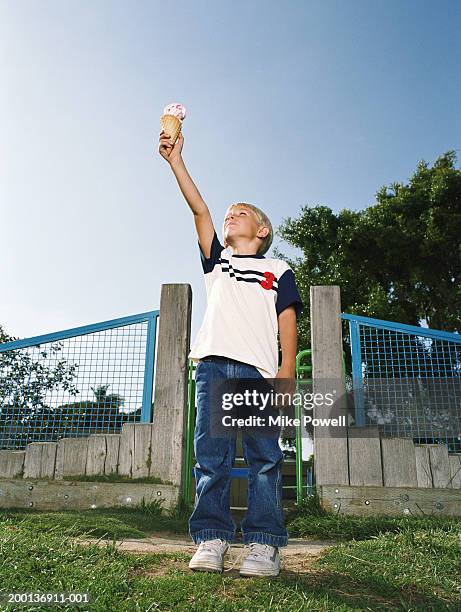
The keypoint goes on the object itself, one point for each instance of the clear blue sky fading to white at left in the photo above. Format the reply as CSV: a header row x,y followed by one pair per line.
x,y
289,104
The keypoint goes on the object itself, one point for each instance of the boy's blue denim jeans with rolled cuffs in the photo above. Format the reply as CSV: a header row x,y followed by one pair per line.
x,y
211,518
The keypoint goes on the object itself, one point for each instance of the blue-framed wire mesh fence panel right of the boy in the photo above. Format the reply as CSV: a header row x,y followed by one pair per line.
x,y
407,380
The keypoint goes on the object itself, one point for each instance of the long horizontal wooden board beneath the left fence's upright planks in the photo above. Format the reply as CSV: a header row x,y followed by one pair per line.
x,y
62,494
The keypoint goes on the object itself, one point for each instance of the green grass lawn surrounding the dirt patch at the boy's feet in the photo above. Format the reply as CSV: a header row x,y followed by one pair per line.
x,y
382,564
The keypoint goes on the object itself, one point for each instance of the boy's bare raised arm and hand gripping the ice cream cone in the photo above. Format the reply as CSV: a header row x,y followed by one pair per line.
x,y
202,218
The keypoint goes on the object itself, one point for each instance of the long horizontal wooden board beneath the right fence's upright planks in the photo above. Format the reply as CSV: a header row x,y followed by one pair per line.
x,y
391,501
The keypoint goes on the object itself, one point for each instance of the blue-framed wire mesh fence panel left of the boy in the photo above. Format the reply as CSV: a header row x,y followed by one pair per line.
x,y
84,380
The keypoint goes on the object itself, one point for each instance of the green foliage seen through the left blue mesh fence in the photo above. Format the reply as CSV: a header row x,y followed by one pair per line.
x,y
27,379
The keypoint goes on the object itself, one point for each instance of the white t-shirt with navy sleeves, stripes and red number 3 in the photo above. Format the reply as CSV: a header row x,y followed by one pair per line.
x,y
245,295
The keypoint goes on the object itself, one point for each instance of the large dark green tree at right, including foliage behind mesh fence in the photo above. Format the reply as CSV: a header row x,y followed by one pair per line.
x,y
398,260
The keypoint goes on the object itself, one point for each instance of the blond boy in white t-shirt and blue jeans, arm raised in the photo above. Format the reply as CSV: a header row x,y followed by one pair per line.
x,y
250,300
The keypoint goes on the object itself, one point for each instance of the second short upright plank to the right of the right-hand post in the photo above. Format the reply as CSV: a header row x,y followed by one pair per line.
x,y
399,462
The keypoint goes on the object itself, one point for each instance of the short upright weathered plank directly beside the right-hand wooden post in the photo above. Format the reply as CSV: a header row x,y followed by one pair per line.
x,y
365,466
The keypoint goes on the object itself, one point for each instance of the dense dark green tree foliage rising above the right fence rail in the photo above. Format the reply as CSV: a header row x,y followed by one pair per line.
x,y
399,259
